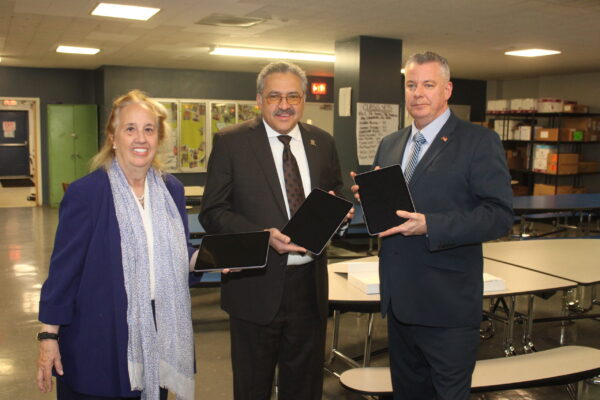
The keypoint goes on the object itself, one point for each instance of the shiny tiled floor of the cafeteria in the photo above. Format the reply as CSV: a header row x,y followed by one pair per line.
x,y
26,239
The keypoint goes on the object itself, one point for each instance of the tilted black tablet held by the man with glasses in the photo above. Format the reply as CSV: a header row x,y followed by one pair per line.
x,y
317,220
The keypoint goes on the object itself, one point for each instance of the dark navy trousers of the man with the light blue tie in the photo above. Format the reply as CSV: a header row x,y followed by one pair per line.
x,y
431,363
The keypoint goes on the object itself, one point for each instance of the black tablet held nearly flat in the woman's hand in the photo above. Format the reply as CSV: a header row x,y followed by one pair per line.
x,y
234,250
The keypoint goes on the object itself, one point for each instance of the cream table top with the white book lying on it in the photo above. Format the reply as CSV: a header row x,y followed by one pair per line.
x,y
518,281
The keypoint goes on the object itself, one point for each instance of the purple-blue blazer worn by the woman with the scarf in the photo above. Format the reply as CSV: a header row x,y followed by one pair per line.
x,y
85,290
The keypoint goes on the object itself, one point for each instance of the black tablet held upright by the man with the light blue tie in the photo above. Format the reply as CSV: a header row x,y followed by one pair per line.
x,y
383,192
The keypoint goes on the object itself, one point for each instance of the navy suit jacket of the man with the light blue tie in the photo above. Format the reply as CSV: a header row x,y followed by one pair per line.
x,y
462,185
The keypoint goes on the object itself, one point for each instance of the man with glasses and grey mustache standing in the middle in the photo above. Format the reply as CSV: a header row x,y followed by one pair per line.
x,y
277,314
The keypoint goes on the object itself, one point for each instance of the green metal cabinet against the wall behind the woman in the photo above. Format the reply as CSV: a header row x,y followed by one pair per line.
x,y
72,142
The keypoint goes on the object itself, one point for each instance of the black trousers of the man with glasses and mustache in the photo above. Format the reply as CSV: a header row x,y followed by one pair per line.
x,y
294,341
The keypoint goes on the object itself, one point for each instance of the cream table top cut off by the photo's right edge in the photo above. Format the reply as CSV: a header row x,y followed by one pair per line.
x,y
573,259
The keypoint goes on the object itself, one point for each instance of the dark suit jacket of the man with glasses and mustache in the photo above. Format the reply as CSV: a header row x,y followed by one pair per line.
x,y
243,194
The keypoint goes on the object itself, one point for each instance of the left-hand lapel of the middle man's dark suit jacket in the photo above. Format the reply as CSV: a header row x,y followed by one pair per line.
x,y
259,143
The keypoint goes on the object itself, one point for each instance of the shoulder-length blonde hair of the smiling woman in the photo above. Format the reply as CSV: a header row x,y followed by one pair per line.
x,y
104,158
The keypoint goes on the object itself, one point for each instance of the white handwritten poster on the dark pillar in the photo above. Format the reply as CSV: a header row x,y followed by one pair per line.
x,y
373,122
